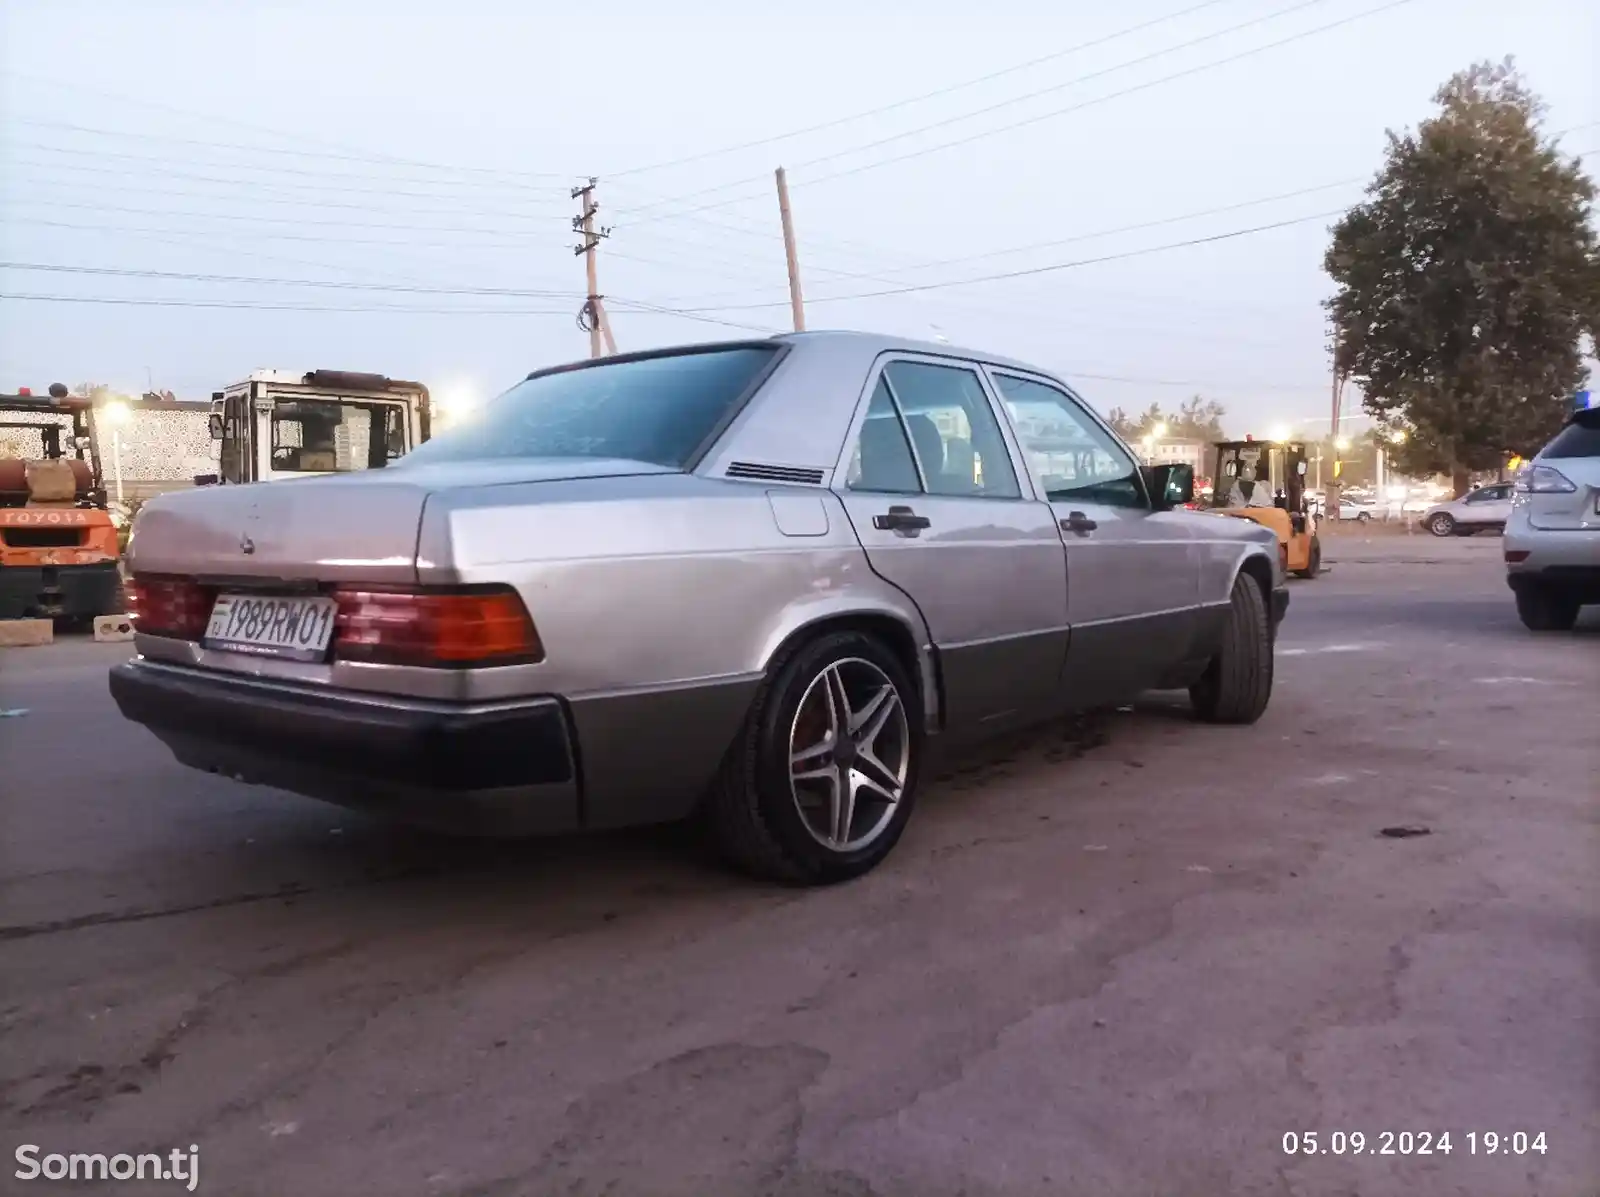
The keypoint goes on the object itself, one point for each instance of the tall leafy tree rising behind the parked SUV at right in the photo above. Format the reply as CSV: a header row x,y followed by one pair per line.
x,y
1468,281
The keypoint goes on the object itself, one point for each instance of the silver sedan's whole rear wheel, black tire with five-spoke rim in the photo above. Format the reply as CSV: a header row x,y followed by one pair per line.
x,y
823,777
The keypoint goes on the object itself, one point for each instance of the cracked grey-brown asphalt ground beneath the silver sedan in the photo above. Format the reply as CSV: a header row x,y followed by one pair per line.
x,y
1121,958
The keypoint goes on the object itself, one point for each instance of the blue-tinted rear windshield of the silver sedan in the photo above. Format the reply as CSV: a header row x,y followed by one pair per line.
x,y
655,409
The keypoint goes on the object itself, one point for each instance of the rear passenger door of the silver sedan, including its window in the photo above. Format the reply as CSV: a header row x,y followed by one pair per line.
x,y
985,567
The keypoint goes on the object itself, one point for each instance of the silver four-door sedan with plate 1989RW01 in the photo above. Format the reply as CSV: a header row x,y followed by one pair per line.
x,y
759,582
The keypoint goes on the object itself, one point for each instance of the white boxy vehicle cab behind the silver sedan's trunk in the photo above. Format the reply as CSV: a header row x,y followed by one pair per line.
x,y
281,425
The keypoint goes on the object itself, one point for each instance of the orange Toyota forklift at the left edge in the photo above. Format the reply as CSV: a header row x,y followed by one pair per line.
x,y
58,545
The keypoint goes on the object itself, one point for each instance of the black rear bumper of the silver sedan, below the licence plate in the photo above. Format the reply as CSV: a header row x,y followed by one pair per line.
x,y
498,769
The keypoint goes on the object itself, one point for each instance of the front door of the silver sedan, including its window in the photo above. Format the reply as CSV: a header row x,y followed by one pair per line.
x,y
1134,575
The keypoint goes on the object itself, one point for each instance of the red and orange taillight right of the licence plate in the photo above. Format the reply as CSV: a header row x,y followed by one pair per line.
x,y
478,627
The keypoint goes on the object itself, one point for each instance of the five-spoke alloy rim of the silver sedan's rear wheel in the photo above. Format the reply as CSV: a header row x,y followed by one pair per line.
x,y
849,755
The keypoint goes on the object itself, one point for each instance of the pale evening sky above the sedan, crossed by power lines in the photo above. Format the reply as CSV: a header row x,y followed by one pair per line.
x,y
386,185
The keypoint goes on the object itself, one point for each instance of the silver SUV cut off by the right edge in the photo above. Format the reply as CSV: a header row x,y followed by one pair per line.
x,y
1553,537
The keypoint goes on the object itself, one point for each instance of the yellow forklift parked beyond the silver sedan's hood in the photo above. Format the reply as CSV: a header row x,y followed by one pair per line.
x,y
1265,481
